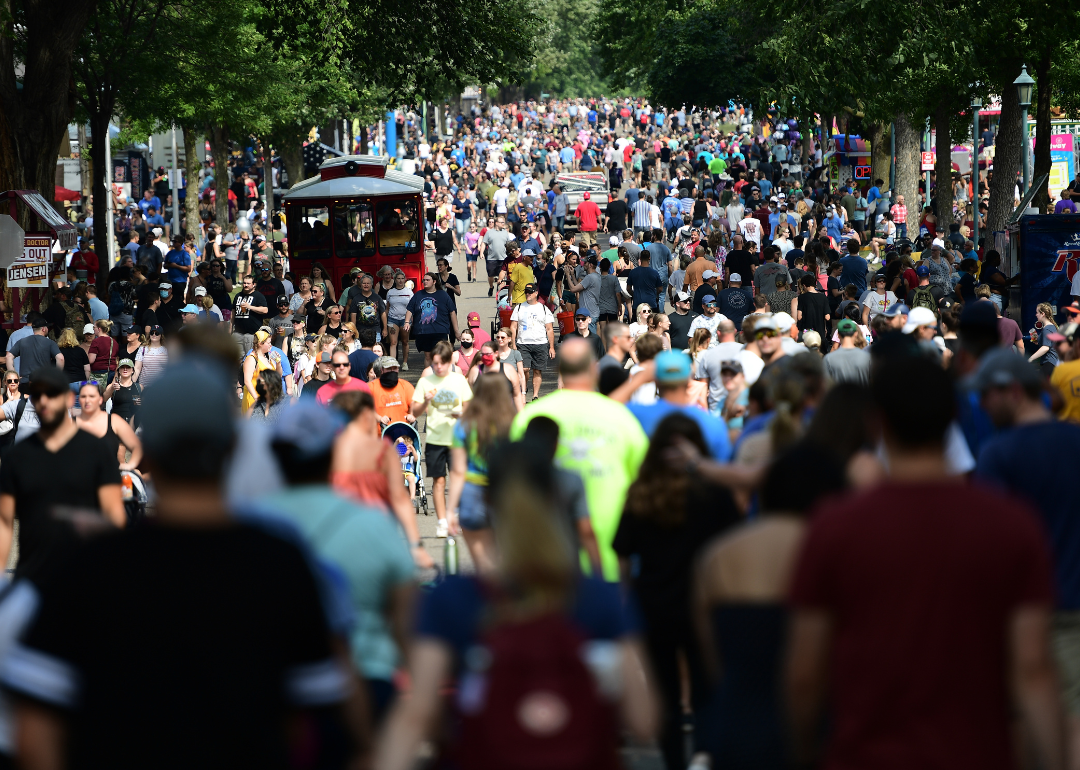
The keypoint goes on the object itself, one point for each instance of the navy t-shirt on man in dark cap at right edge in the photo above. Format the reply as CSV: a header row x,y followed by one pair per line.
x,y
1035,462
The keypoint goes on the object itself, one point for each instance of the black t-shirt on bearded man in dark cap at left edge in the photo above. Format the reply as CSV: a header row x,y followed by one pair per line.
x,y
40,480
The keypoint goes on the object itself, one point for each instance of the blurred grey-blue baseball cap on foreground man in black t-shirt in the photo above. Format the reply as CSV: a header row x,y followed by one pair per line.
x,y
210,421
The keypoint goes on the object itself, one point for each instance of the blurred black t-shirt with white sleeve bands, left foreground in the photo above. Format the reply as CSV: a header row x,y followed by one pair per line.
x,y
157,665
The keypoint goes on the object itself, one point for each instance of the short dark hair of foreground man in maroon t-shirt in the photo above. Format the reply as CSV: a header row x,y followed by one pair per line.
x,y
894,381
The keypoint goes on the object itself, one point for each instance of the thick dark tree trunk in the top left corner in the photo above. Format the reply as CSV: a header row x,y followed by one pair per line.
x,y
35,114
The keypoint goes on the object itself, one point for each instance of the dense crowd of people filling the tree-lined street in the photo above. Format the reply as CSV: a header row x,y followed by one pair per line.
x,y
813,517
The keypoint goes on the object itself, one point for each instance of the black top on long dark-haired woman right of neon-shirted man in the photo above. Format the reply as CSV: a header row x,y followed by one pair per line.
x,y
668,553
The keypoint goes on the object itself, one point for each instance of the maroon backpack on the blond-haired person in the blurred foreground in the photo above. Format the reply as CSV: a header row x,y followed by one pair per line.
x,y
532,704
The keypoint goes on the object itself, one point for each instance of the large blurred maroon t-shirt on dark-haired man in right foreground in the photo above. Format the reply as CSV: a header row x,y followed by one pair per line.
x,y
921,582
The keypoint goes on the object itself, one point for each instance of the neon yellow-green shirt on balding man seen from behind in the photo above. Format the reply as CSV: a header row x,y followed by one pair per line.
x,y
601,441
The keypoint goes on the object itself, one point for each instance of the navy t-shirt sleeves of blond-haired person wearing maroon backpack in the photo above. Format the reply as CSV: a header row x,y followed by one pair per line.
x,y
455,613
